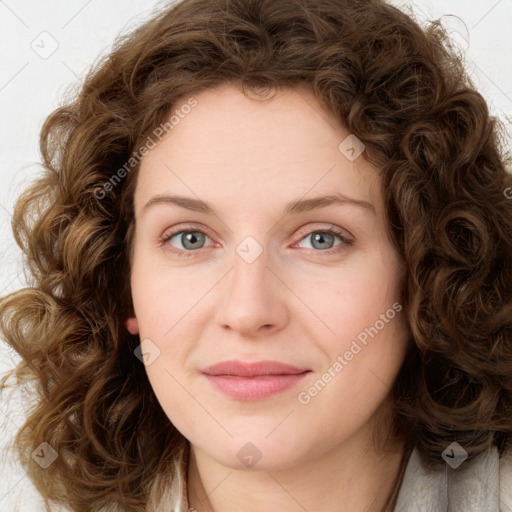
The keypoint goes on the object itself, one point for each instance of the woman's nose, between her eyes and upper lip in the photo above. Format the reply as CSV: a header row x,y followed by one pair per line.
x,y
252,300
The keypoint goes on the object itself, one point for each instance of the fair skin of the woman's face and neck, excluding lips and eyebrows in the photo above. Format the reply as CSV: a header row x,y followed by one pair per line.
x,y
294,303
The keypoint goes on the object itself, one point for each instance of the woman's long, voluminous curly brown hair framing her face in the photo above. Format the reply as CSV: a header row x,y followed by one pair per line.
x,y
402,90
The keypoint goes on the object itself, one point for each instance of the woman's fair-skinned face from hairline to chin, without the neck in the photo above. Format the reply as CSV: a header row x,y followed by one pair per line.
x,y
249,264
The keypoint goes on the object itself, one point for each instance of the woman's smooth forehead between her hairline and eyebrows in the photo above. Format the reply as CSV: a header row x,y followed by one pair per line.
x,y
274,148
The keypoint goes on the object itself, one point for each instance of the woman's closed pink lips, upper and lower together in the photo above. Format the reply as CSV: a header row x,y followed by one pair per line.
x,y
253,381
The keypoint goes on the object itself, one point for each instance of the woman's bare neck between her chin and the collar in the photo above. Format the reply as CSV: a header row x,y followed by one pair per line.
x,y
350,477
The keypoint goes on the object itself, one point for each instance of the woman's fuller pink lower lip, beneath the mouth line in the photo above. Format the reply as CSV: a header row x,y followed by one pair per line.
x,y
254,388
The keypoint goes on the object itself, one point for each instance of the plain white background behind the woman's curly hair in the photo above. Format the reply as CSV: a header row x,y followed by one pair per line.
x,y
32,86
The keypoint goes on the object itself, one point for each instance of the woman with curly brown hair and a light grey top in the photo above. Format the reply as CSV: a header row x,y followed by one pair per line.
x,y
272,260
